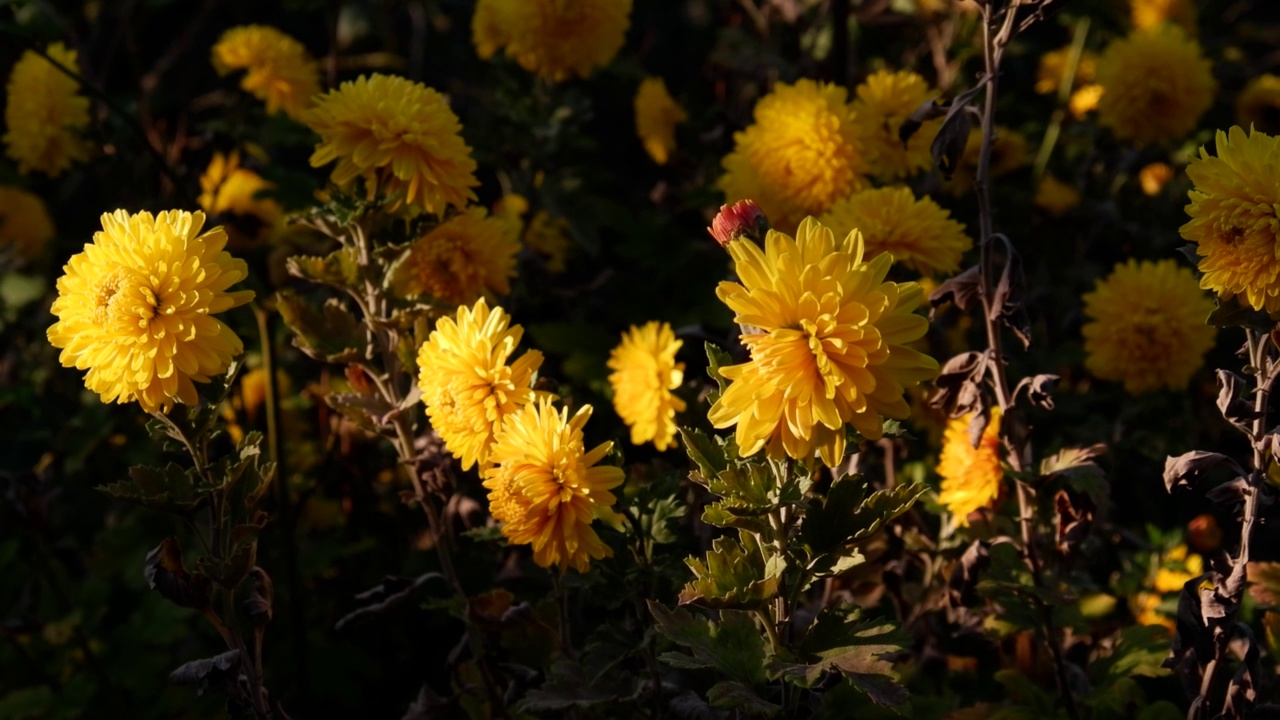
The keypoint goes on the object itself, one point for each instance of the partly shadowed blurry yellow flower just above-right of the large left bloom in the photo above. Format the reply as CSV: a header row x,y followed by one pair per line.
x,y
231,193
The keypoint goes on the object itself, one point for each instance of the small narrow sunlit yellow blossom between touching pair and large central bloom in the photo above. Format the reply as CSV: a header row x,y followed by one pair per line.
x,y
644,375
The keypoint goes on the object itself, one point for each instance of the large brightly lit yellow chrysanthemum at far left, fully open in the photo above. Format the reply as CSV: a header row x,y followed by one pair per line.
x,y
136,309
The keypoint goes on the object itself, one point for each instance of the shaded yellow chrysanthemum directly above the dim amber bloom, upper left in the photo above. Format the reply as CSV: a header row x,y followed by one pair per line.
x,y
400,136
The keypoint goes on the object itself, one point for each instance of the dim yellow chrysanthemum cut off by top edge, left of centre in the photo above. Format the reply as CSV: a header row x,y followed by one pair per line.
x,y
556,38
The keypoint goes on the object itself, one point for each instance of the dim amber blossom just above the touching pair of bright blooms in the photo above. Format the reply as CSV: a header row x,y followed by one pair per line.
x,y
468,257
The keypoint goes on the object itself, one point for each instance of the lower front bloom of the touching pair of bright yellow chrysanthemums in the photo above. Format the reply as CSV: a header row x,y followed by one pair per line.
x,y
546,489
